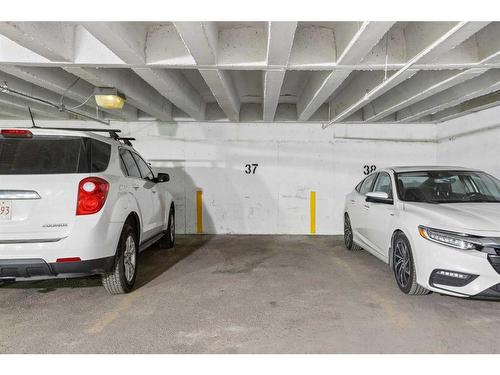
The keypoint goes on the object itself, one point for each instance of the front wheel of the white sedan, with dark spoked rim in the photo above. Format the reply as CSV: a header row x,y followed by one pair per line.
x,y
403,266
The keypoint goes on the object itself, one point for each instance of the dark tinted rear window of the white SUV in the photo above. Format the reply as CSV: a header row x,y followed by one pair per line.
x,y
53,155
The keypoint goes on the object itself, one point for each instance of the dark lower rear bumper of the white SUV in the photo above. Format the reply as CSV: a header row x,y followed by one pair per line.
x,y
34,269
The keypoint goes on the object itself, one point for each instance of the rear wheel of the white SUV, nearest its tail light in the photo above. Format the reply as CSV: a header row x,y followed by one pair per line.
x,y
122,278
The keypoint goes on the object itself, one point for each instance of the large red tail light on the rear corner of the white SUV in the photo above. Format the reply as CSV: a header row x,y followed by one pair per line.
x,y
92,193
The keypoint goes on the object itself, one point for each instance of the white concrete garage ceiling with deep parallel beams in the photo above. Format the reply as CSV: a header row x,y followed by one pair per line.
x,y
332,72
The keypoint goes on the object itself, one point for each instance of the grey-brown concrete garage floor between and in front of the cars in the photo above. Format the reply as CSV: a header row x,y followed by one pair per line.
x,y
246,294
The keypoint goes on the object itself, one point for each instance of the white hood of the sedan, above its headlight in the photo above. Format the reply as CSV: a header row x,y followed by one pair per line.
x,y
468,217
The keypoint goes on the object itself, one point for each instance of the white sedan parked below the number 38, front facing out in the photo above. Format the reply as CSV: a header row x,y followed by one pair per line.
x,y
437,227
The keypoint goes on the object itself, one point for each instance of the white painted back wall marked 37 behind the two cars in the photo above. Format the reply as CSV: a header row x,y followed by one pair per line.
x,y
294,159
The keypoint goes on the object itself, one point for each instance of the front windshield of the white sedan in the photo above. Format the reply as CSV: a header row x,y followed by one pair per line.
x,y
447,187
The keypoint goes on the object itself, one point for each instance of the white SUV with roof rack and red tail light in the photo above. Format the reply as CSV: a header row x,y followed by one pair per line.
x,y
75,203
